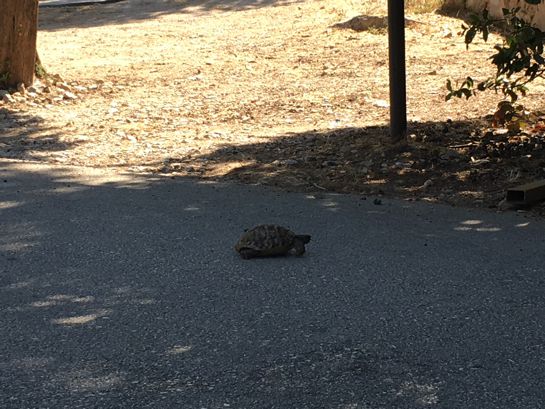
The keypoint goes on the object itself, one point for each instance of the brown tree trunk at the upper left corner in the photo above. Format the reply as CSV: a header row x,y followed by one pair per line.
x,y
18,30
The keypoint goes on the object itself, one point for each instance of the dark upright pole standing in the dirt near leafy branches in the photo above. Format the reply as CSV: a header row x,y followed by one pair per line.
x,y
398,82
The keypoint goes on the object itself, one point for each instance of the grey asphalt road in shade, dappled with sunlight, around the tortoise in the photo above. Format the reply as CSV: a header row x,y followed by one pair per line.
x,y
127,293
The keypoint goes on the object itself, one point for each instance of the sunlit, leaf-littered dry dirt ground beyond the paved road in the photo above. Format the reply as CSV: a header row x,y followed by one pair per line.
x,y
265,91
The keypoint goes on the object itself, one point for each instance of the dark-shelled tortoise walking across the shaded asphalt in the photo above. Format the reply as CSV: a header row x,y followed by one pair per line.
x,y
271,240
